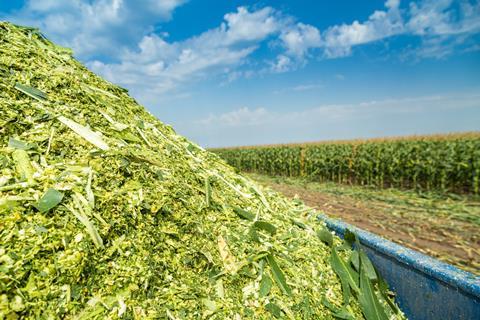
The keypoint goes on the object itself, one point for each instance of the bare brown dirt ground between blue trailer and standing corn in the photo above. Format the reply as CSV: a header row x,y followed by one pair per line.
x,y
423,227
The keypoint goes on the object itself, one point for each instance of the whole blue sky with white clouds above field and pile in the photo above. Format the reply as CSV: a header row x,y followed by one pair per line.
x,y
256,72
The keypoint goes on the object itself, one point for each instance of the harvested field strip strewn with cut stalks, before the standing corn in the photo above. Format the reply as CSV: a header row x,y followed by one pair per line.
x,y
441,226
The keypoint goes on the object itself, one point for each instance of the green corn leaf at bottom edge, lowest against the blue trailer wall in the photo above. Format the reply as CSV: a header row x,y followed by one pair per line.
x,y
369,303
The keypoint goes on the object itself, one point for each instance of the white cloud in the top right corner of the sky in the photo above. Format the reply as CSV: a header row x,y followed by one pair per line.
x,y
443,25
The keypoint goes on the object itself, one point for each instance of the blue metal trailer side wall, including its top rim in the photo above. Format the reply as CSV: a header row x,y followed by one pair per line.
x,y
425,288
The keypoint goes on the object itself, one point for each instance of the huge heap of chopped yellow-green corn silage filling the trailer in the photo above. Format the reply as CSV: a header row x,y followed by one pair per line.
x,y
105,212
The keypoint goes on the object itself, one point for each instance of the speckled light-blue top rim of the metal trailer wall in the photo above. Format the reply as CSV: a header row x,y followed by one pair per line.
x,y
448,274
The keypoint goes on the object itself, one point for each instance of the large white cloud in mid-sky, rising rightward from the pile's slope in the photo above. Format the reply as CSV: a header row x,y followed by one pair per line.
x,y
161,66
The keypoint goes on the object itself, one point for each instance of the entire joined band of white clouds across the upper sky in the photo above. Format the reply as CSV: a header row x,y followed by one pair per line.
x,y
117,38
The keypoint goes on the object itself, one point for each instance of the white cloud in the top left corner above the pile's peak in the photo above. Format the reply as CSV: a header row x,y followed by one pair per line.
x,y
95,27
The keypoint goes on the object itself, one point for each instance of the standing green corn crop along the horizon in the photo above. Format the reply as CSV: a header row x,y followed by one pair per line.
x,y
449,163
